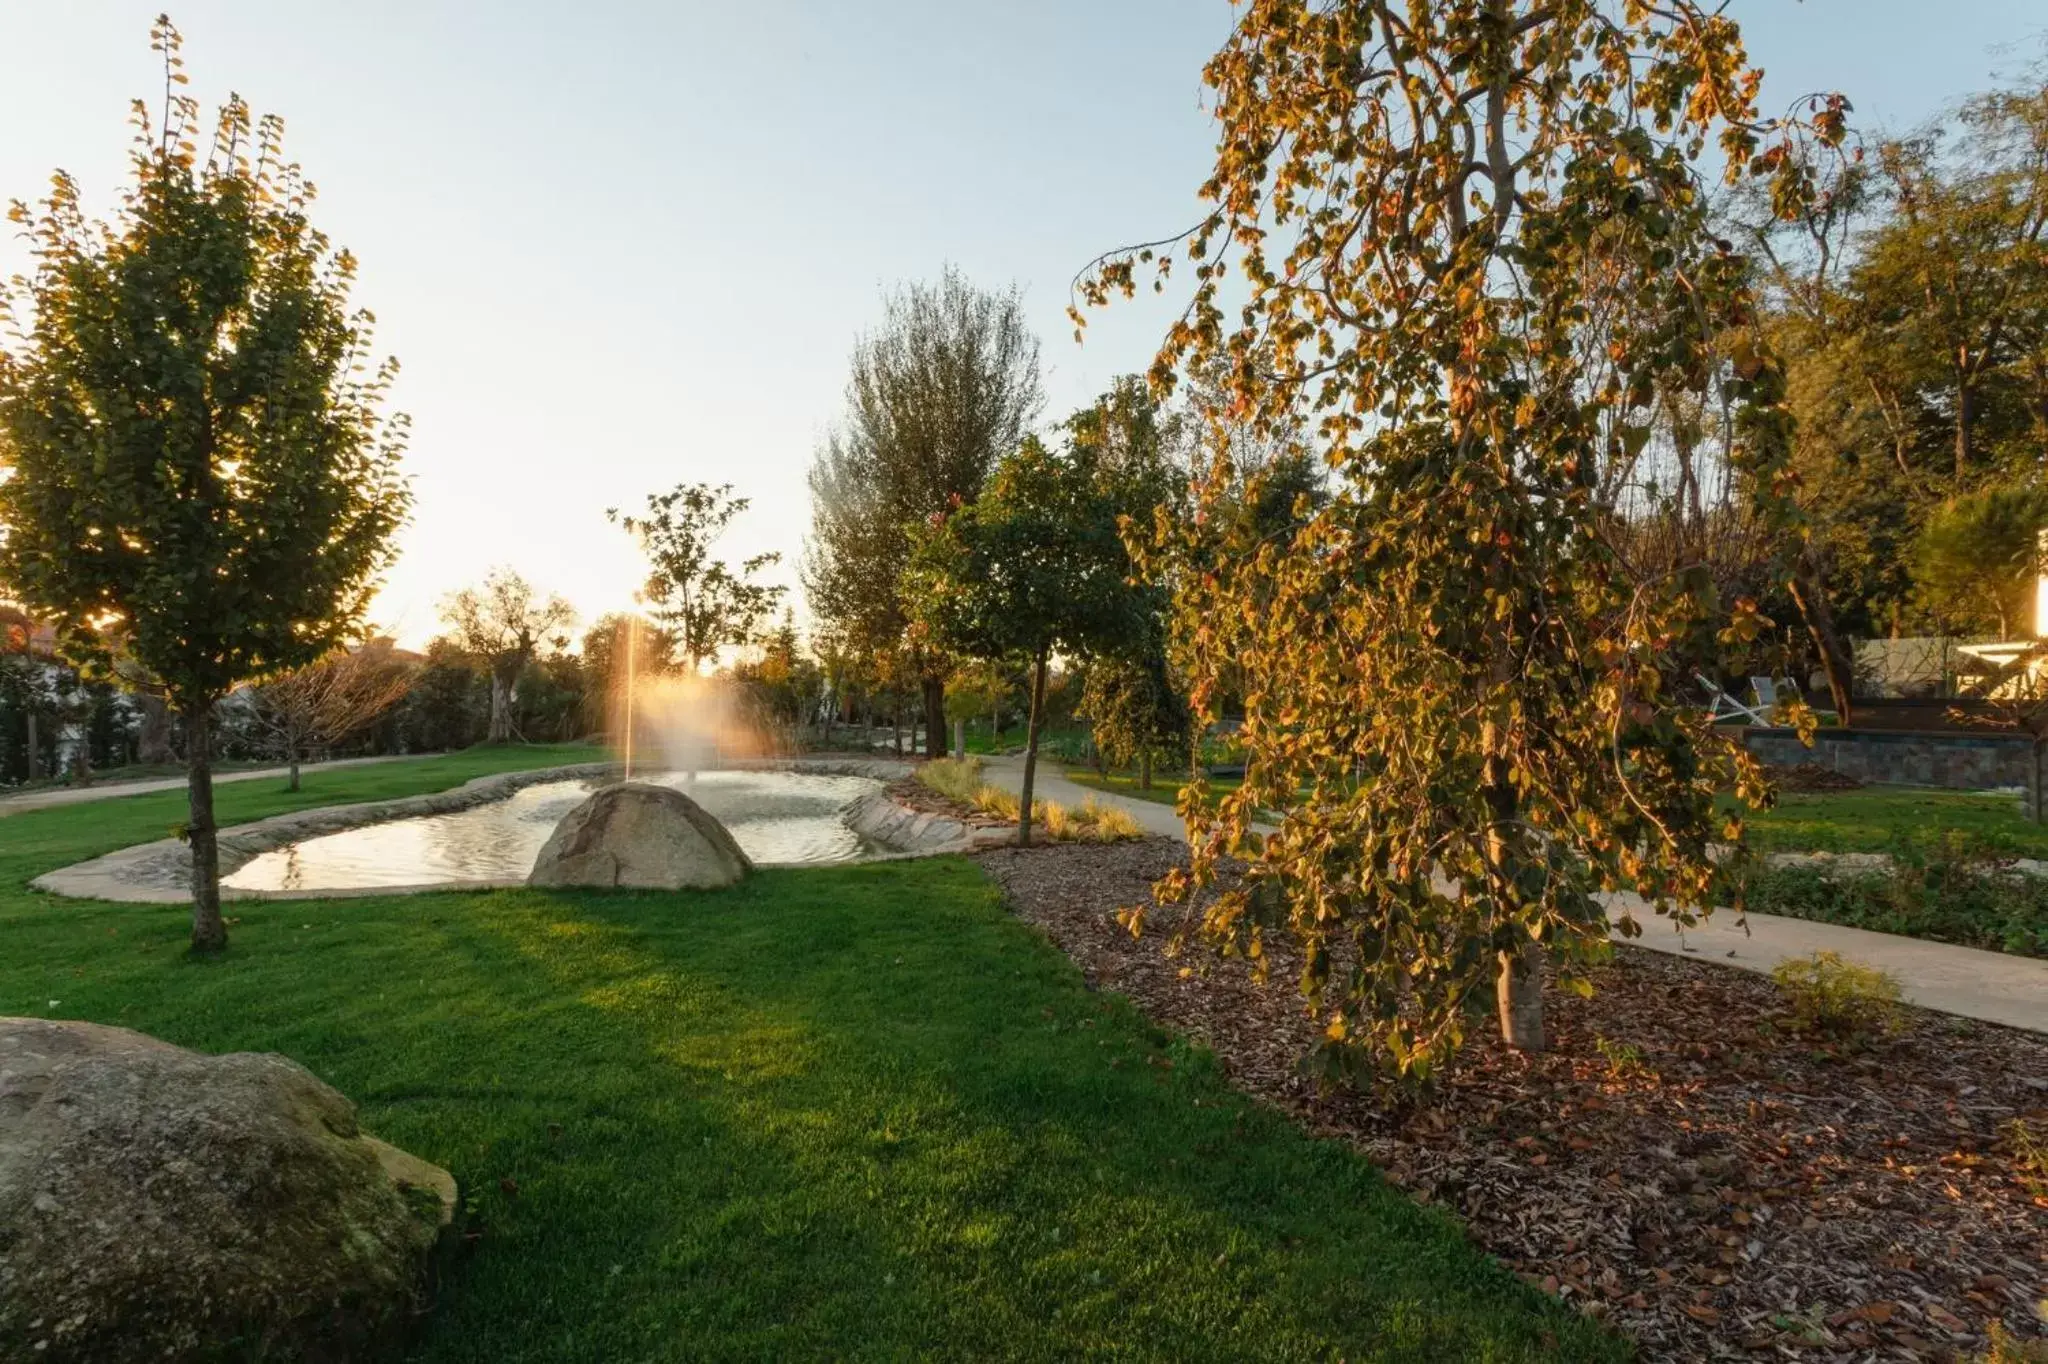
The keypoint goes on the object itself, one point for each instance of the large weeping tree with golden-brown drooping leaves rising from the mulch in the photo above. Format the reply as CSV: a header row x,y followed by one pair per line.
x,y
1461,708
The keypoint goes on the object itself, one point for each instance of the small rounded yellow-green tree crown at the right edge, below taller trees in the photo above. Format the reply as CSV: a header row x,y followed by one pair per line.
x,y
1979,556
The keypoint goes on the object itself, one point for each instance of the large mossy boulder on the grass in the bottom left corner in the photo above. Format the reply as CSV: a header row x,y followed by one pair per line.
x,y
165,1205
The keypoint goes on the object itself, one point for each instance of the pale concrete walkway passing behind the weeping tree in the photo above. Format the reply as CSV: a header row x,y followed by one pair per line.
x,y
1938,976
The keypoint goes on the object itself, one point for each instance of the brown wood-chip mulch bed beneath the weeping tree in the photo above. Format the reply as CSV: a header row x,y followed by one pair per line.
x,y
1680,1164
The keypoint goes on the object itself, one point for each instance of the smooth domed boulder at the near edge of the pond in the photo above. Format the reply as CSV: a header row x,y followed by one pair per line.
x,y
640,837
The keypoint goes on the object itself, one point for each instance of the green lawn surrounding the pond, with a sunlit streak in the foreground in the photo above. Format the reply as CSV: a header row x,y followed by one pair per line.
x,y
835,1113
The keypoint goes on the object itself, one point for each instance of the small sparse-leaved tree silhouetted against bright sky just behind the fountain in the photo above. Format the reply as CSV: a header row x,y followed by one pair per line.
x,y
699,599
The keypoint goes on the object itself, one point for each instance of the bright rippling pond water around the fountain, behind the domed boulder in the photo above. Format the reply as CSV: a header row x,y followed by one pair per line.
x,y
773,816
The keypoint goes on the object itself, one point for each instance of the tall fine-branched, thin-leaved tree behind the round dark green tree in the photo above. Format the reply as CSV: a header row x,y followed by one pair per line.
x,y
939,394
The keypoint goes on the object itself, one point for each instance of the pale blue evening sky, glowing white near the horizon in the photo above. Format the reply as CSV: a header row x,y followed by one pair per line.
x,y
626,245
